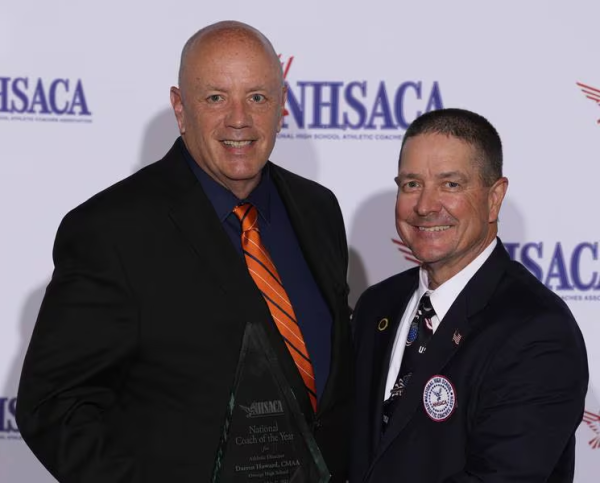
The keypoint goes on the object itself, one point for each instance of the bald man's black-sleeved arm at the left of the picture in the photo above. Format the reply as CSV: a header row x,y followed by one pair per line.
x,y
77,360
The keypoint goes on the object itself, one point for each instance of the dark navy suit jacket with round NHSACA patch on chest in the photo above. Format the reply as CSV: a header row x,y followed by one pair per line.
x,y
519,371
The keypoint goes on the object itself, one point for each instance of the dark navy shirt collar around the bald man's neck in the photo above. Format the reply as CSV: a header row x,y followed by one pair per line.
x,y
223,200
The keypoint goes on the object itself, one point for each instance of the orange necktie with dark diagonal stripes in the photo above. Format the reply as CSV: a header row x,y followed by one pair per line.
x,y
268,281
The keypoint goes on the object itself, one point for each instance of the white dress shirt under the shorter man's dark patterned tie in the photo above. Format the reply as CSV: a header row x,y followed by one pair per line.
x,y
441,298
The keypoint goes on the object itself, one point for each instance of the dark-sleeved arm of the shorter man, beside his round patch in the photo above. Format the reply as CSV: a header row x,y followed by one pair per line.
x,y
529,405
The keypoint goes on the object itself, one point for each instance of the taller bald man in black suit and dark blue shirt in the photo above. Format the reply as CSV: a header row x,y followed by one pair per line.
x,y
131,365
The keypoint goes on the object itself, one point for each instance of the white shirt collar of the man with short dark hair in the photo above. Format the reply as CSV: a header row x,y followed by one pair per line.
x,y
444,296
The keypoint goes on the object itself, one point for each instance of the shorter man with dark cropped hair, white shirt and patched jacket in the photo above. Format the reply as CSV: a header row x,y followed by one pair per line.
x,y
468,368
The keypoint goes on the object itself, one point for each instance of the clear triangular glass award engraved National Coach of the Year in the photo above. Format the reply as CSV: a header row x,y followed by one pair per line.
x,y
265,435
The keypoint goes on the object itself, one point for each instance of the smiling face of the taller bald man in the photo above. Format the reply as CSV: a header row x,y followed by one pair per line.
x,y
229,107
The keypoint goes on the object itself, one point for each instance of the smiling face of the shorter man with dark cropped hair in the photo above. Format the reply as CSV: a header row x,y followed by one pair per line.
x,y
444,212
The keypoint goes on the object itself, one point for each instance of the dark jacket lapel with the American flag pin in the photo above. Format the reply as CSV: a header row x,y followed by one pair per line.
x,y
443,346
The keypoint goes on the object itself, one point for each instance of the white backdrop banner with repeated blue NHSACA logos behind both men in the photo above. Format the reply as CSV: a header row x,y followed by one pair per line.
x,y
84,102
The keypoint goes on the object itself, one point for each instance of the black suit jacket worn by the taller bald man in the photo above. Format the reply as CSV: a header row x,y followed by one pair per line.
x,y
132,360
